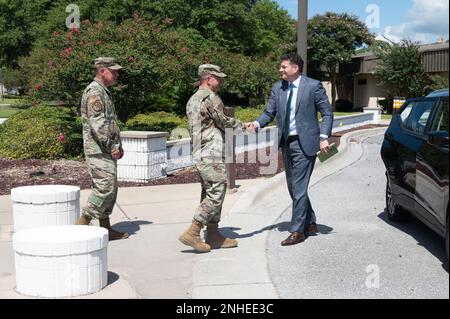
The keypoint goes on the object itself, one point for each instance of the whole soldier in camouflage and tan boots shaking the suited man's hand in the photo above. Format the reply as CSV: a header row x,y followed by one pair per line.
x,y
207,124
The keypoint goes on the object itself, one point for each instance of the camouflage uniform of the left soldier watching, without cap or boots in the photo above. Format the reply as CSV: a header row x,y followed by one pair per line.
x,y
101,136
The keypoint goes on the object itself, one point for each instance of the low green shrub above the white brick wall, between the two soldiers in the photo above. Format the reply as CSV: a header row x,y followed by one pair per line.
x,y
158,121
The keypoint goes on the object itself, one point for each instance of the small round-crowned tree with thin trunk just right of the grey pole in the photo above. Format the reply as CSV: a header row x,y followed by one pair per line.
x,y
333,39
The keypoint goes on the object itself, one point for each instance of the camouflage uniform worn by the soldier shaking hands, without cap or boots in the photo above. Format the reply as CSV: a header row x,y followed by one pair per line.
x,y
207,124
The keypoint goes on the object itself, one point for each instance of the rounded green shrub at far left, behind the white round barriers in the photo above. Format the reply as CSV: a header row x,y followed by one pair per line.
x,y
35,134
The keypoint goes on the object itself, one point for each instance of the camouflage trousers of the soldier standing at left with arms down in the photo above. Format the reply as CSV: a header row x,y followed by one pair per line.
x,y
103,171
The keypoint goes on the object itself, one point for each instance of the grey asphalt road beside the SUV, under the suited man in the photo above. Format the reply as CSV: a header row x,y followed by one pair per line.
x,y
358,252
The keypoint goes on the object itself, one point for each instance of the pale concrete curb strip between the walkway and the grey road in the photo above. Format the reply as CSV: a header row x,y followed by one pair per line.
x,y
243,273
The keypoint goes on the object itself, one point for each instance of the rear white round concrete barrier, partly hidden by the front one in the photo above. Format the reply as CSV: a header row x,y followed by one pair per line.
x,y
45,205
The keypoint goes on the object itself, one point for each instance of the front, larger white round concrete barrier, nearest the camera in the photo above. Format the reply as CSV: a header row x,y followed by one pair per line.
x,y
61,261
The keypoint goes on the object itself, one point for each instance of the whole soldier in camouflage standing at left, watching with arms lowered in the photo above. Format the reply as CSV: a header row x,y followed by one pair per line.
x,y
102,145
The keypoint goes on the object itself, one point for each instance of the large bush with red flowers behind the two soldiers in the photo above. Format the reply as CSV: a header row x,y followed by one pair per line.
x,y
160,65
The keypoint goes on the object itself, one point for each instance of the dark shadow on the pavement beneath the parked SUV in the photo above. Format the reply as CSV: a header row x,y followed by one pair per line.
x,y
424,236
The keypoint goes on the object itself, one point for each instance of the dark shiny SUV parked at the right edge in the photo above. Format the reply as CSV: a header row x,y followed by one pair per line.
x,y
415,153
